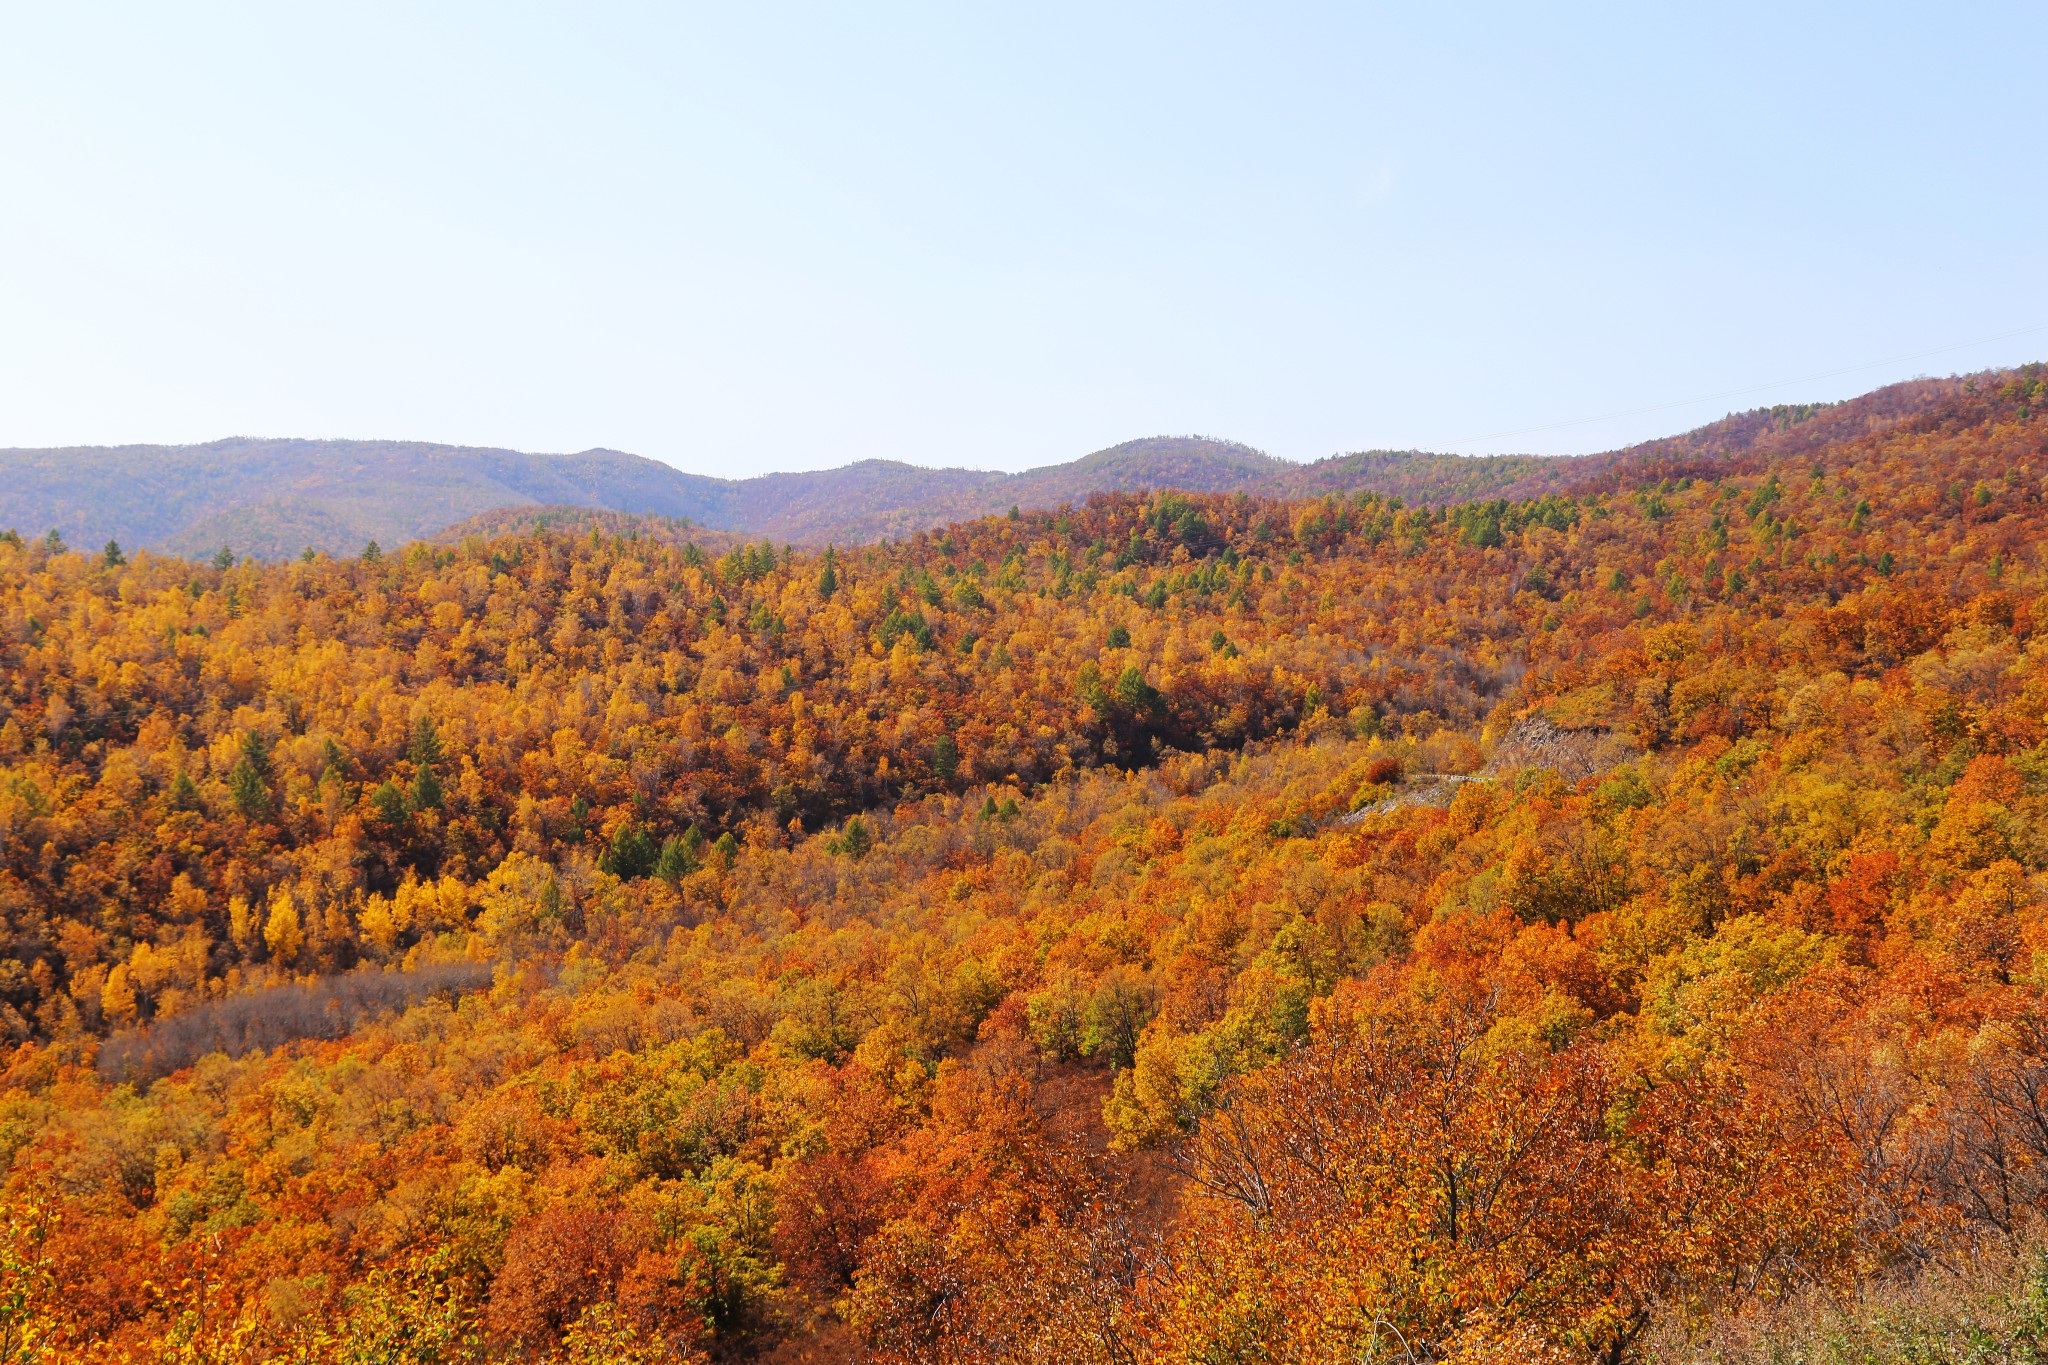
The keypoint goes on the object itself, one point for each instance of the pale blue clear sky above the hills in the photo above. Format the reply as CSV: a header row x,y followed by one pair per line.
x,y
746,238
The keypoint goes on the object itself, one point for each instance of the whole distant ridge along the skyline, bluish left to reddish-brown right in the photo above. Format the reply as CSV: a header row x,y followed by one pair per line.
x,y
273,498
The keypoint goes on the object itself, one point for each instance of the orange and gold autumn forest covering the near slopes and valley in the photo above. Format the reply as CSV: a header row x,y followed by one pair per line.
x,y
1594,920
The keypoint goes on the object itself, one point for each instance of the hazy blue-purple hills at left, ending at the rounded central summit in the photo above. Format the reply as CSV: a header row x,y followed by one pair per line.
x,y
278,498
